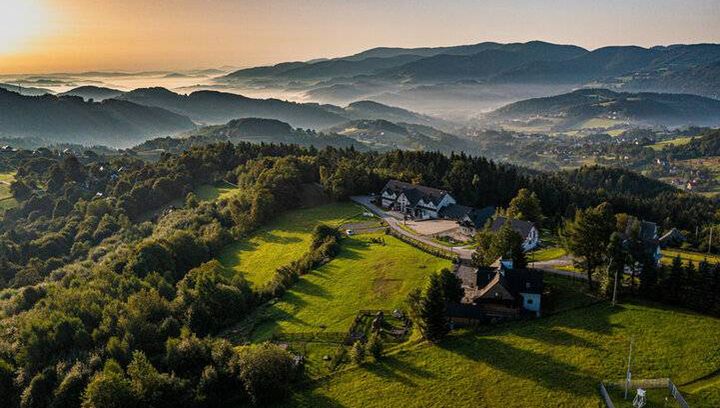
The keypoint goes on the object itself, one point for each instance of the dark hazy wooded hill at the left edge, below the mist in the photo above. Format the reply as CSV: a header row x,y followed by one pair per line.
x,y
70,119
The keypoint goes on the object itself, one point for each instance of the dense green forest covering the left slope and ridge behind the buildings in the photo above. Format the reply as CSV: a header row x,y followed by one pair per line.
x,y
102,281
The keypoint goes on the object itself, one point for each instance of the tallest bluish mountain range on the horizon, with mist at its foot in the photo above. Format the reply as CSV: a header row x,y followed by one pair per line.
x,y
490,74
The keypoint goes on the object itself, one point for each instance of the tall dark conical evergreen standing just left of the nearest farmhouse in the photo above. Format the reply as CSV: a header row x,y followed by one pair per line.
x,y
431,310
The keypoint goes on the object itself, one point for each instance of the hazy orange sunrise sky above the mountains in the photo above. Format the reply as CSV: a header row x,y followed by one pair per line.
x,y
41,36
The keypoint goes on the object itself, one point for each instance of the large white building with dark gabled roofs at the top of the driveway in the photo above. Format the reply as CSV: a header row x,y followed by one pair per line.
x,y
415,200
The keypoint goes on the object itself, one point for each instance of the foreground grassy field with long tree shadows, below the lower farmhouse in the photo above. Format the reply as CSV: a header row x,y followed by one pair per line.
x,y
556,361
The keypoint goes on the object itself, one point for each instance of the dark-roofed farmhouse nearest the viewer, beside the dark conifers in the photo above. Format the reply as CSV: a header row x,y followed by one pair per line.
x,y
501,292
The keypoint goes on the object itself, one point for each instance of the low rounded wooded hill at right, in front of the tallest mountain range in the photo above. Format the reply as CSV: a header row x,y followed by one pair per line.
x,y
605,108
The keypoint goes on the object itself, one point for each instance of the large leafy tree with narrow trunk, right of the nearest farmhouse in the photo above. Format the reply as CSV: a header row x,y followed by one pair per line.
x,y
587,236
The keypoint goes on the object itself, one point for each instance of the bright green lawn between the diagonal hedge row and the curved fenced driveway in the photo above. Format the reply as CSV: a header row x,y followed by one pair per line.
x,y
364,275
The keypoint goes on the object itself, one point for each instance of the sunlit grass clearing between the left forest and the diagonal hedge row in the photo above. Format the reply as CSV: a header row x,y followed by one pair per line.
x,y
282,241
